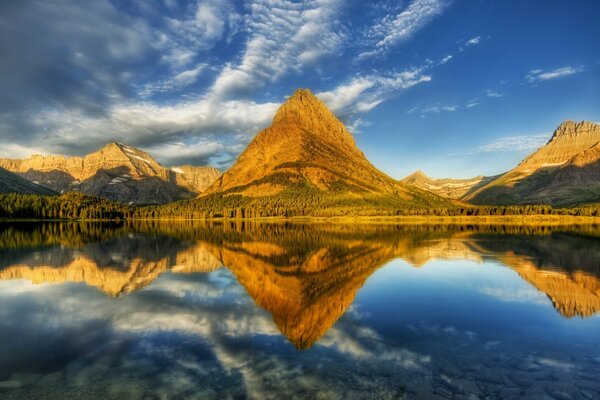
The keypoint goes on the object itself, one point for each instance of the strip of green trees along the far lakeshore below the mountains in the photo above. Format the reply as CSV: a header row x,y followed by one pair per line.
x,y
290,203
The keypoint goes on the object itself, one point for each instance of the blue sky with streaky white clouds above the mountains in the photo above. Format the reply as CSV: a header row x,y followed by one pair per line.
x,y
453,88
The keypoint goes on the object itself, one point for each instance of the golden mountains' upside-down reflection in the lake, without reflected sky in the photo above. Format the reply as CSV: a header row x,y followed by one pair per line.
x,y
306,276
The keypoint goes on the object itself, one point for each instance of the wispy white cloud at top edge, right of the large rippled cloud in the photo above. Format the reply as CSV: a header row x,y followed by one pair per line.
x,y
393,29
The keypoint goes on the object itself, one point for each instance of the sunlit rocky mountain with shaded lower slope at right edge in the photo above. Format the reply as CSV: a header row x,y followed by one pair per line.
x,y
564,172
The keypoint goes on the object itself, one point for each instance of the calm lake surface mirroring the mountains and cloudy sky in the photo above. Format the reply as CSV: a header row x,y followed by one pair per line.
x,y
238,311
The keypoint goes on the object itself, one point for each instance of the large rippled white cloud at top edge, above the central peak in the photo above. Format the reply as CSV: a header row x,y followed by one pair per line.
x,y
284,36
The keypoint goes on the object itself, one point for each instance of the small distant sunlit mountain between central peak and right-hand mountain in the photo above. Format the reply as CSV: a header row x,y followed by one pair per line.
x,y
446,187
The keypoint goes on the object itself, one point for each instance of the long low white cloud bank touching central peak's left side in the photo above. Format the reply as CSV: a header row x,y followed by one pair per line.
x,y
186,132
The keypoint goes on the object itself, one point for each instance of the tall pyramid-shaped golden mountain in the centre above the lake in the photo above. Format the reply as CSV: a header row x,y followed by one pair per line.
x,y
307,163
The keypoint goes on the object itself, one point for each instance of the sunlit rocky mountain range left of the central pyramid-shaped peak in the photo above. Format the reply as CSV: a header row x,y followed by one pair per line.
x,y
116,172
